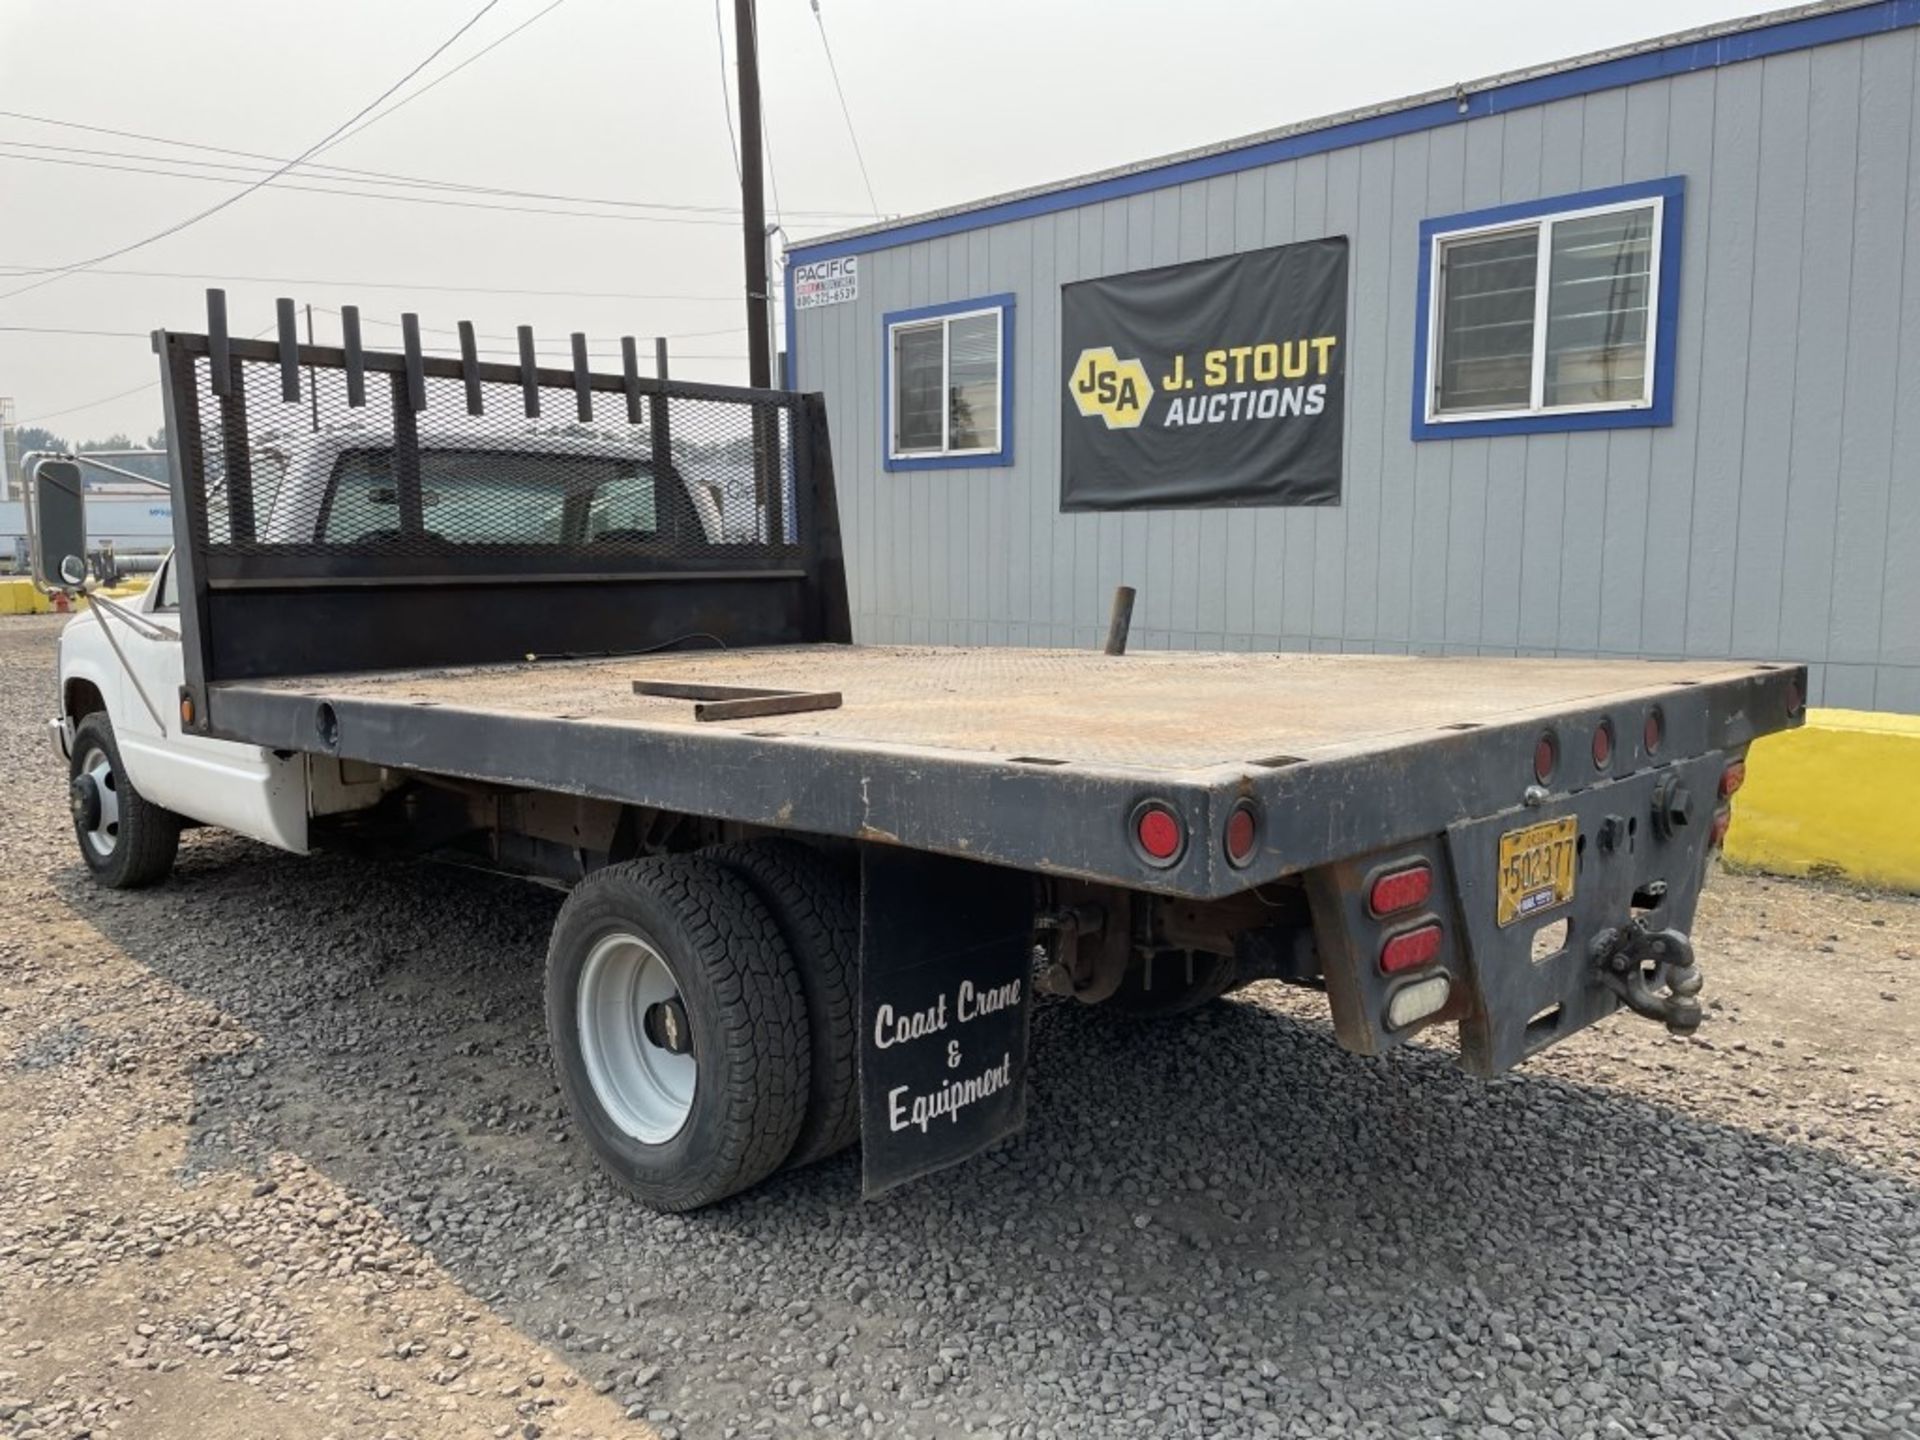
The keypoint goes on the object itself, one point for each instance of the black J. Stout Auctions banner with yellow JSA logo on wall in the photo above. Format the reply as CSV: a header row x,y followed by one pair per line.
x,y
1214,383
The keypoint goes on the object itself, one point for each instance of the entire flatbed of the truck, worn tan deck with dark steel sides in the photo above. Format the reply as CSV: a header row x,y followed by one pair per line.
x,y
1028,757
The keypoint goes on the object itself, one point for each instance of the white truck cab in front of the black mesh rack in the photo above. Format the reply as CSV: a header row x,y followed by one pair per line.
x,y
333,489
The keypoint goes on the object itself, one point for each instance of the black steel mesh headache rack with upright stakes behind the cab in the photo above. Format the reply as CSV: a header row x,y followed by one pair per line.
x,y
348,510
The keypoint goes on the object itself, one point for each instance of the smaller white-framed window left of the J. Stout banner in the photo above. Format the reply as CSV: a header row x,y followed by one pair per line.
x,y
948,377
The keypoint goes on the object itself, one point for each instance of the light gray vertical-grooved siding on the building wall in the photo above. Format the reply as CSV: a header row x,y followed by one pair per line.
x,y
1777,517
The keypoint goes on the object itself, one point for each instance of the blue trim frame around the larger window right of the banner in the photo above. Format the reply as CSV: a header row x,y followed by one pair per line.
x,y
1668,302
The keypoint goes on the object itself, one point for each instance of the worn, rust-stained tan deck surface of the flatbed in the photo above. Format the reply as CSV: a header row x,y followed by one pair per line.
x,y
1149,709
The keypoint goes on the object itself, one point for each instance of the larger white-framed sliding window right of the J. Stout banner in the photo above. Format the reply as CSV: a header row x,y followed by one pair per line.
x,y
1548,316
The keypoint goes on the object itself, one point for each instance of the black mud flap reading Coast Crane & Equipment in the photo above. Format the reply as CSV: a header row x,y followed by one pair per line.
x,y
946,996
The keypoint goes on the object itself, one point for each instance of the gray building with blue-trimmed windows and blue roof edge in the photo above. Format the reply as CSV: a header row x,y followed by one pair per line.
x,y
1748,487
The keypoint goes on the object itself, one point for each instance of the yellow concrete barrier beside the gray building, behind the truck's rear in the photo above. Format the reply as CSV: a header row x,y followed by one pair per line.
x,y
1836,798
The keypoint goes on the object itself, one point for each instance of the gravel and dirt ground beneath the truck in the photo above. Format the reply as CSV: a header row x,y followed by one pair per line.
x,y
283,1159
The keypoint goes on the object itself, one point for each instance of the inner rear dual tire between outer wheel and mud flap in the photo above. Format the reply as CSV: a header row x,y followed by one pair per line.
x,y
817,907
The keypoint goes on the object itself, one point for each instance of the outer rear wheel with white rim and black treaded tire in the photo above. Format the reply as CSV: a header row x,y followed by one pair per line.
x,y
665,951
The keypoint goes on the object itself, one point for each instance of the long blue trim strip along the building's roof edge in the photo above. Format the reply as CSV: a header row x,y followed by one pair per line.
x,y
1681,57
